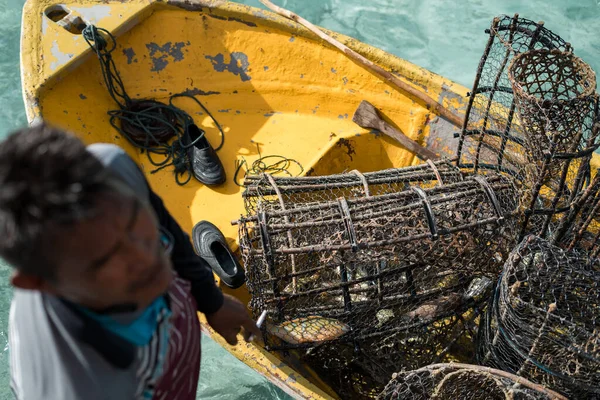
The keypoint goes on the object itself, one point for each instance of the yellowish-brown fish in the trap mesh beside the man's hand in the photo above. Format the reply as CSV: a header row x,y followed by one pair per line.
x,y
311,329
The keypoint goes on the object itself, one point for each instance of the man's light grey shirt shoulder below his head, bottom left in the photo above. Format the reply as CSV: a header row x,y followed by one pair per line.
x,y
47,359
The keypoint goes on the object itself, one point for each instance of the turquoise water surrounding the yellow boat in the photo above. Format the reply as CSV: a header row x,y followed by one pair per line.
x,y
444,36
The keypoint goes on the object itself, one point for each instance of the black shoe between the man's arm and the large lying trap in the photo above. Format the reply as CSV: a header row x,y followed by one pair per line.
x,y
210,244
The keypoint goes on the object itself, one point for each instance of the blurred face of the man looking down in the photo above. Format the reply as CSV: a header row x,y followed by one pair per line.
x,y
114,258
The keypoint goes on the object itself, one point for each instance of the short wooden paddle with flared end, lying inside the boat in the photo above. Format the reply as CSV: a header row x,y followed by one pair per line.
x,y
366,116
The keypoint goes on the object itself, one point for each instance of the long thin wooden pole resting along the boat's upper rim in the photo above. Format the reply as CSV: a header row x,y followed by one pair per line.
x,y
403,86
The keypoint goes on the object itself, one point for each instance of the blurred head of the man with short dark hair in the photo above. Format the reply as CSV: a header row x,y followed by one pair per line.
x,y
72,228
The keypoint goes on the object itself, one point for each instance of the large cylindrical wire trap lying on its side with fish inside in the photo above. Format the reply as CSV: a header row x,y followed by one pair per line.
x,y
347,260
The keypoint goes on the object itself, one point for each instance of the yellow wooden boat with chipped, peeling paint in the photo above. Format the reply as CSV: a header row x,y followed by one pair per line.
x,y
267,80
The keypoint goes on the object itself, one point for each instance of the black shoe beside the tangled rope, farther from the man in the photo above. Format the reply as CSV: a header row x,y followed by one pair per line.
x,y
204,162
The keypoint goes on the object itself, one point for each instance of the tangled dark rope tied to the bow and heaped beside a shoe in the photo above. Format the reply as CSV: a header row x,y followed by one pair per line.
x,y
147,124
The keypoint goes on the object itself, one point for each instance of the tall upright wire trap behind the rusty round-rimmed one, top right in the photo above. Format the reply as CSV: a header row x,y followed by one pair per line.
x,y
492,137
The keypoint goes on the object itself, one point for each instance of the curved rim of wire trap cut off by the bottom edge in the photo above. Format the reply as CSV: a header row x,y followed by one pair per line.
x,y
463,381
